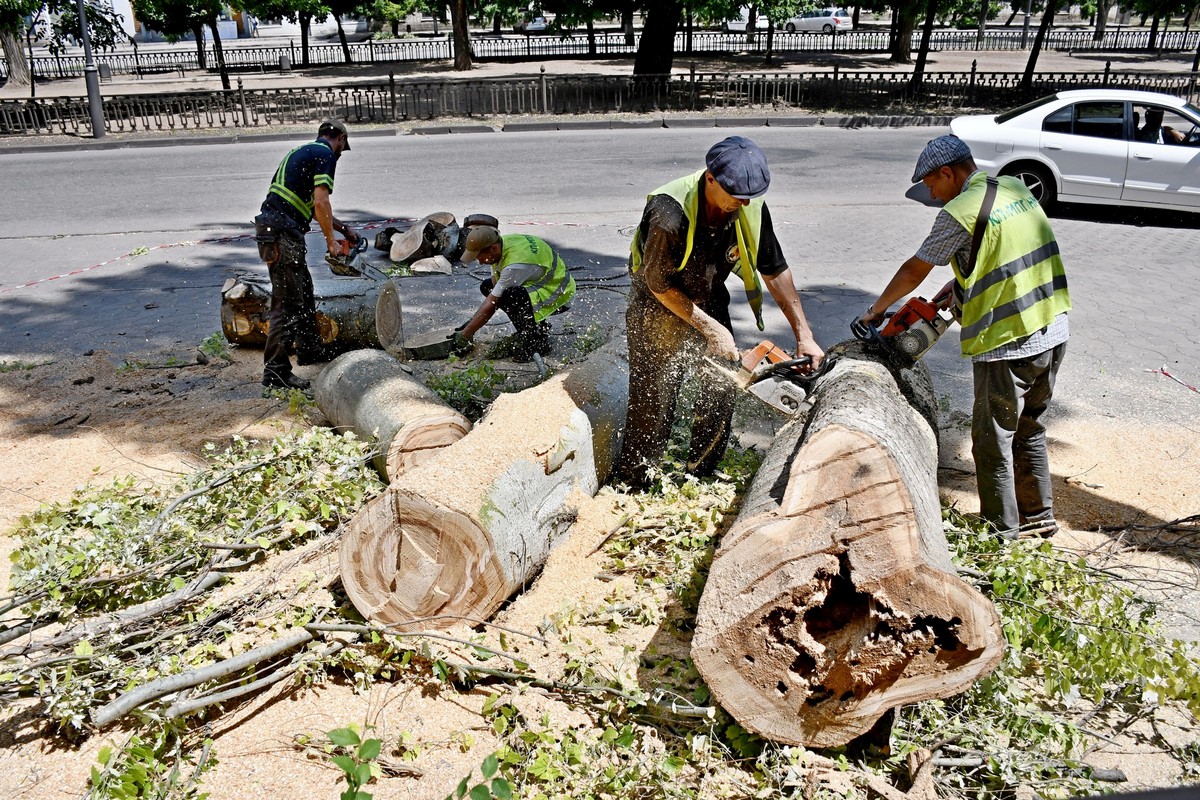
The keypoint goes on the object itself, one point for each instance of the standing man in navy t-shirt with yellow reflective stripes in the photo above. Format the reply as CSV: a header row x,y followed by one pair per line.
x,y
299,191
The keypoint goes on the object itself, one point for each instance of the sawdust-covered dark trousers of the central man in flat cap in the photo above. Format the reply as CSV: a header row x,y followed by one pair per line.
x,y
663,351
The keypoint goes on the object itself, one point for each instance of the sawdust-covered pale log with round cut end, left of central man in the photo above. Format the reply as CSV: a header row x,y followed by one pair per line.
x,y
458,536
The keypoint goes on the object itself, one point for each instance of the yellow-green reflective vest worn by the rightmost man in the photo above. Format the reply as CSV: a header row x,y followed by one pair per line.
x,y
1019,284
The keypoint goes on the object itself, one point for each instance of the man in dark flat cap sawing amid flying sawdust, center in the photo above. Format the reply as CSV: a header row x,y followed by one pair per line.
x,y
694,232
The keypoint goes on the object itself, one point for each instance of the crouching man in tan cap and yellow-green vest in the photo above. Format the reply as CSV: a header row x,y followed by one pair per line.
x,y
530,282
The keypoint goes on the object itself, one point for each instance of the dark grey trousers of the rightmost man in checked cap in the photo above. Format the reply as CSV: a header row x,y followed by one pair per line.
x,y
1009,440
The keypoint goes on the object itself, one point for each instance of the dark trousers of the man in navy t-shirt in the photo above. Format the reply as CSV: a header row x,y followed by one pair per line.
x,y
292,322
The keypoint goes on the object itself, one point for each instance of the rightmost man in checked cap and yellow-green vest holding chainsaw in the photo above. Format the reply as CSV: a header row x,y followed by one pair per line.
x,y
1011,292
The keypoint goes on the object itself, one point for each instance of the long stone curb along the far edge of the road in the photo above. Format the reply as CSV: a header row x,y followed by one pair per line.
x,y
885,122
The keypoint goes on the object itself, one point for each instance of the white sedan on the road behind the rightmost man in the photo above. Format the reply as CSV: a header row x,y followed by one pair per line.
x,y
1095,146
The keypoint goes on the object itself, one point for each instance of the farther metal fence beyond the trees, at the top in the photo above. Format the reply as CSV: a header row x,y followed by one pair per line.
x,y
149,59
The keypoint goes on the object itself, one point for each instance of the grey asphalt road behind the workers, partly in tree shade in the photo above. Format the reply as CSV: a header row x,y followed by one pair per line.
x,y
74,275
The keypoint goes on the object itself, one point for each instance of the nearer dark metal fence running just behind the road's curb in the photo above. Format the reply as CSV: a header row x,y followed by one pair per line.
x,y
400,101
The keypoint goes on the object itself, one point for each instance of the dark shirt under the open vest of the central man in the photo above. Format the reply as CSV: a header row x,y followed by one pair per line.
x,y
664,231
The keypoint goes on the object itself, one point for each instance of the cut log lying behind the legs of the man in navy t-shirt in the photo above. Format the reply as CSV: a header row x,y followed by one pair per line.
x,y
352,314
